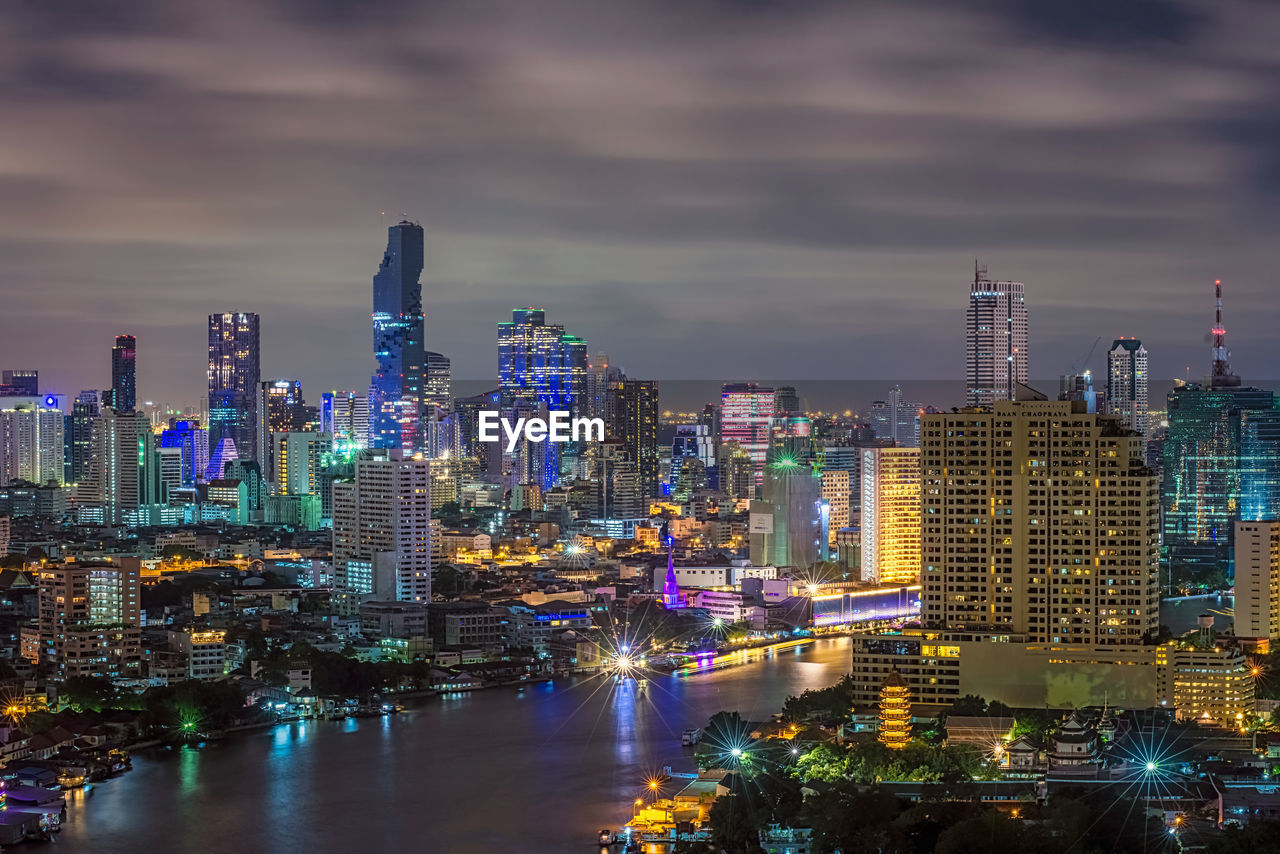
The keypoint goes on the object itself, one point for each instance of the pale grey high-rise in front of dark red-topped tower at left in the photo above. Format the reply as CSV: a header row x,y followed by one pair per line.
x,y
125,473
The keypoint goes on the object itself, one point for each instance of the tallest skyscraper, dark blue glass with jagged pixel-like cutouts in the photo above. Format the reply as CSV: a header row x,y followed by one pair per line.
x,y
396,392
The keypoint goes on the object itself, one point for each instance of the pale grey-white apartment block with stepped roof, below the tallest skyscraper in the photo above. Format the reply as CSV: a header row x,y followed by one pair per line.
x,y
382,533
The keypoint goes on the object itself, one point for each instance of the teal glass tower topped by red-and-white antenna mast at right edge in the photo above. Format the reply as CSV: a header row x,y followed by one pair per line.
x,y
1222,463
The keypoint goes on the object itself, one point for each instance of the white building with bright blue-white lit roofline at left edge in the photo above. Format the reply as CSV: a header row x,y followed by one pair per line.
x,y
33,445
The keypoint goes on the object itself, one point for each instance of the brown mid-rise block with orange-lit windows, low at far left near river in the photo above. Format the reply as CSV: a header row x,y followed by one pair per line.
x,y
90,619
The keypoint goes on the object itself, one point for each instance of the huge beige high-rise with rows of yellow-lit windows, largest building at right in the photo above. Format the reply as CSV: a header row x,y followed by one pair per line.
x,y
1039,519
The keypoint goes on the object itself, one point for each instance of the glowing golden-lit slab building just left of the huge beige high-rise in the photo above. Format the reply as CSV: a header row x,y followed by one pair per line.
x,y
892,515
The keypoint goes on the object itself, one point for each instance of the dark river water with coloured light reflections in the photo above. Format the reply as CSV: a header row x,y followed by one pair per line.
x,y
486,773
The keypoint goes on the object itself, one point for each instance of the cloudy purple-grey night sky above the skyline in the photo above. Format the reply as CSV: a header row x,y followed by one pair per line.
x,y
703,189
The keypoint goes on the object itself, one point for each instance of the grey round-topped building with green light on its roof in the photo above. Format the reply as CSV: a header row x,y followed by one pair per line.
x,y
789,523
